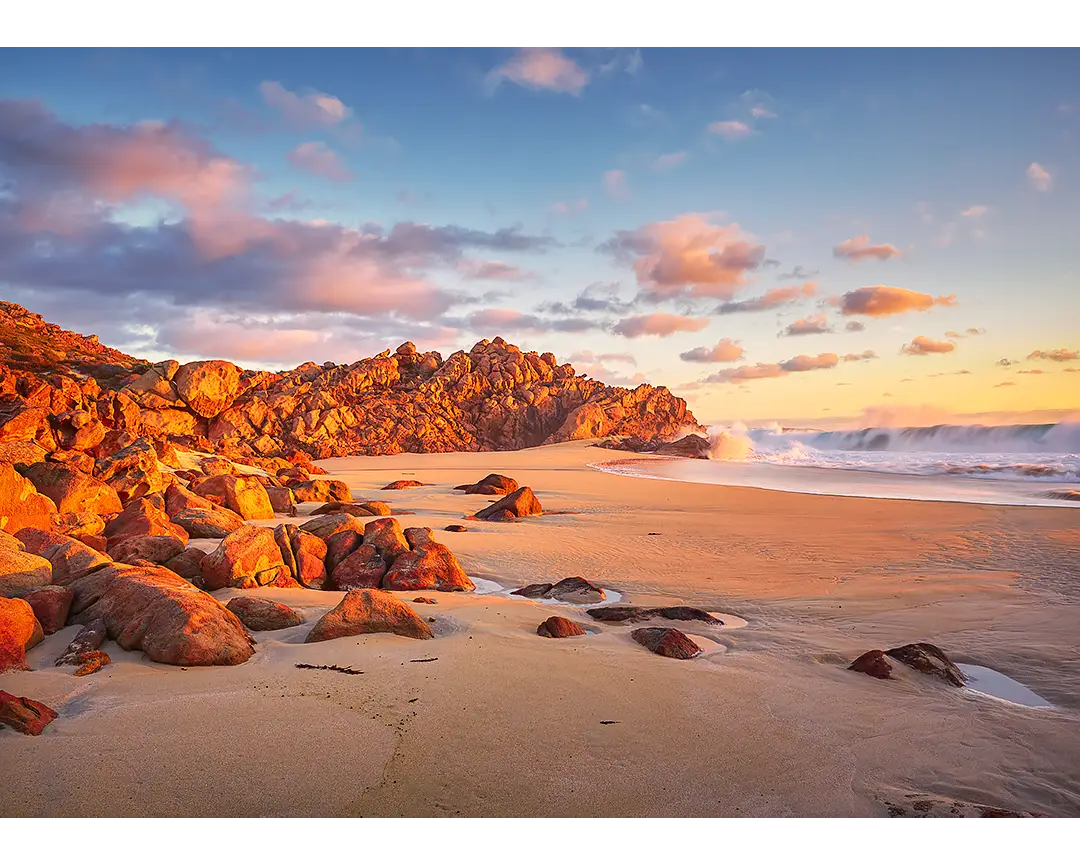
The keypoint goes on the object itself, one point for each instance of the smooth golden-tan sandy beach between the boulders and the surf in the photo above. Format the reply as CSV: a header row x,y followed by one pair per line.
x,y
767,724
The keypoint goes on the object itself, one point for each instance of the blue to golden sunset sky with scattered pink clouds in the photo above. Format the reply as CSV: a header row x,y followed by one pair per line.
x,y
773,233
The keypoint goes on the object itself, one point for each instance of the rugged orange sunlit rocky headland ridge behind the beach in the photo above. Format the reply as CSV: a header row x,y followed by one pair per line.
x,y
492,398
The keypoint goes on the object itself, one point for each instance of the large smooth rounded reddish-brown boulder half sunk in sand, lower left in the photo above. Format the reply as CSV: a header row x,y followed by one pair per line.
x,y
170,620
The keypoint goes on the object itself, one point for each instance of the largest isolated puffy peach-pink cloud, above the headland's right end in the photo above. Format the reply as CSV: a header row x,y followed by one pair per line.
x,y
687,258
